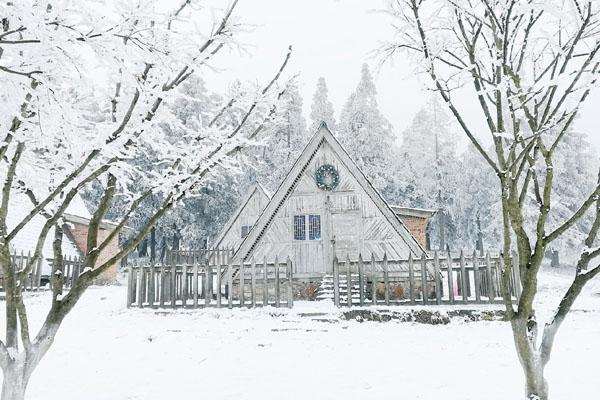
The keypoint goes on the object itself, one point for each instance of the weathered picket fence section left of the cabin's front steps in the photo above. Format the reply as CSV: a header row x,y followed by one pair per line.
x,y
191,283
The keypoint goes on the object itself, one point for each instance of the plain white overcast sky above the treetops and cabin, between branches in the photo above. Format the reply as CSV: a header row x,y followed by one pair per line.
x,y
333,38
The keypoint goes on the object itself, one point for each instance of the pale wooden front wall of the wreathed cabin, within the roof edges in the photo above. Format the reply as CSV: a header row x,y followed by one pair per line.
x,y
348,214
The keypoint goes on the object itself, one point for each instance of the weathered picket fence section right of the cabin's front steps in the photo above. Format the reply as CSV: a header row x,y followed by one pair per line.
x,y
429,280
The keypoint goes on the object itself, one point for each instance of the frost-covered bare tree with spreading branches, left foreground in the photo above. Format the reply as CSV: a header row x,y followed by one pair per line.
x,y
55,62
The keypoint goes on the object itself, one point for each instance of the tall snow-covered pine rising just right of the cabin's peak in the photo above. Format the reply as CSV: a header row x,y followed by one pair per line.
x,y
367,135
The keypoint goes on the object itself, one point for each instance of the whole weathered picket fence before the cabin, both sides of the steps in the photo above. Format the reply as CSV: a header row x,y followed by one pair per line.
x,y
198,279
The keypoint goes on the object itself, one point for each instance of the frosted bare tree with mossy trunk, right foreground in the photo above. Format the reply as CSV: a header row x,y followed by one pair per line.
x,y
527,66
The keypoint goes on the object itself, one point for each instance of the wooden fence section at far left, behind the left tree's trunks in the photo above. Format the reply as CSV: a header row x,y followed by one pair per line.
x,y
39,277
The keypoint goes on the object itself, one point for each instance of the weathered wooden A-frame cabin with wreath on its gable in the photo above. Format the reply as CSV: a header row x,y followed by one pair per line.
x,y
326,206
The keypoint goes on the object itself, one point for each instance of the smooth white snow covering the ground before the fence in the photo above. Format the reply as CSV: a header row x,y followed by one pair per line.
x,y
107,352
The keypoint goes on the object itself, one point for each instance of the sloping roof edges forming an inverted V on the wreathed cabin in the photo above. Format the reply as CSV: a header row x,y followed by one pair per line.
x,y
322,135
